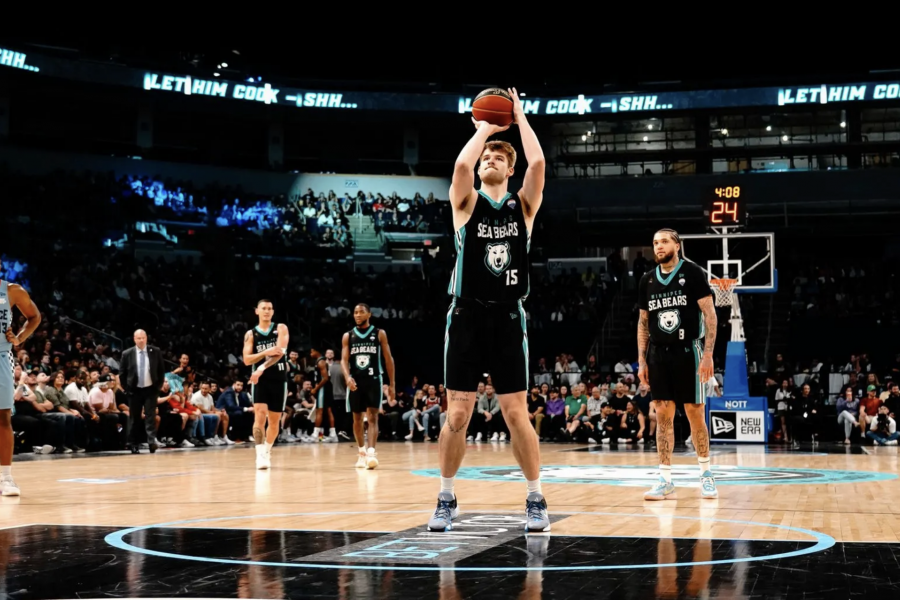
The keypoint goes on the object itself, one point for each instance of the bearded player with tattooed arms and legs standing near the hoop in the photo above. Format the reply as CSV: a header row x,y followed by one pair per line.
x,y
677,312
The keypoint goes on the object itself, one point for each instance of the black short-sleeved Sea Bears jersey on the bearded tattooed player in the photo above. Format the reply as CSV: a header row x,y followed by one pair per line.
x,y
671,299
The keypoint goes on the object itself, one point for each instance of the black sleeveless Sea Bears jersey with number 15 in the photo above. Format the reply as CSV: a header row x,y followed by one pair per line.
x,y
492,263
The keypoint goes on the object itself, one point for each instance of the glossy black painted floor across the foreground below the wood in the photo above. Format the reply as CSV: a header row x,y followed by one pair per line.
x,y
42,562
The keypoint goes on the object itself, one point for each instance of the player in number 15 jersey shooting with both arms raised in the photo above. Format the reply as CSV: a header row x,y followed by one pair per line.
x,y
486,322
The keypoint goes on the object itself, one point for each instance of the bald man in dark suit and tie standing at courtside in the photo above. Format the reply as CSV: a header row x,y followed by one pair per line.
x,y
142,374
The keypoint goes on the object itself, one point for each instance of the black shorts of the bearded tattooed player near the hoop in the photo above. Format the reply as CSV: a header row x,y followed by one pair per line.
x,y
673,373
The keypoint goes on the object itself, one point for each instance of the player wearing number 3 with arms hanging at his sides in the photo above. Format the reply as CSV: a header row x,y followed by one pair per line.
x,y
361,363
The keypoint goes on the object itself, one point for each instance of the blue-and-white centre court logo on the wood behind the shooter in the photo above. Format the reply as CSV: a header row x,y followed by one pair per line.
x,y
682,475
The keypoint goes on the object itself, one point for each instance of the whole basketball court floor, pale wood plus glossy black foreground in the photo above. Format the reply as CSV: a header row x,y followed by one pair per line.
x,y
205,523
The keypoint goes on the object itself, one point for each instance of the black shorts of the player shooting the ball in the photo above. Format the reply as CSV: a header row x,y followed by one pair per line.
x,y
486,338
